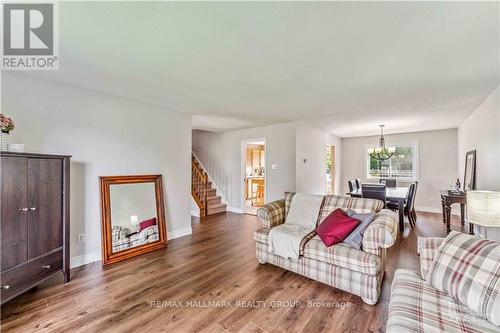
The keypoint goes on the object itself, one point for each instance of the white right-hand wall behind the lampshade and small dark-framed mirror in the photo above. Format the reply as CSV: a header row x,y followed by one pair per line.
x,y
481,131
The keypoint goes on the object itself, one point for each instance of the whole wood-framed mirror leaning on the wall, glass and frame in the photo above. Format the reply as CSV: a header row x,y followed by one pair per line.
x,y
132,216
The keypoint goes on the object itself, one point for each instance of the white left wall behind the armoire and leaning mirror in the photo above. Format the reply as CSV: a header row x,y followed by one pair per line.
x,y
106,136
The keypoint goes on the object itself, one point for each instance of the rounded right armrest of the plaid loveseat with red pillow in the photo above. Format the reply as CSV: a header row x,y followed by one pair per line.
x,y
381,233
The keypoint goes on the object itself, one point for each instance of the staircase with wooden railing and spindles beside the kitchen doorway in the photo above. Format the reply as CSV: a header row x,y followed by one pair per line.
x,y
201,189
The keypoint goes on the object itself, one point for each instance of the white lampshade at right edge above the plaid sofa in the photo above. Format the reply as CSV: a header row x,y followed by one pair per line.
x,y
483,208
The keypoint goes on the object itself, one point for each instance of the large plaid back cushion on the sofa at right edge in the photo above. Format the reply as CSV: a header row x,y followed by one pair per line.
x,y
468,269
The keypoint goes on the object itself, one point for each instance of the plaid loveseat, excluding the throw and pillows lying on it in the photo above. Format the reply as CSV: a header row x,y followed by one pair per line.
x,y
357,271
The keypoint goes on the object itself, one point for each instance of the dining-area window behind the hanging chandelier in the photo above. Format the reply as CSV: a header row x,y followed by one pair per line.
x,y
402,165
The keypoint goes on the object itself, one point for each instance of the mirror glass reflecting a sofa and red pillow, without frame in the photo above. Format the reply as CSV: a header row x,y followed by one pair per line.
x,y
133,215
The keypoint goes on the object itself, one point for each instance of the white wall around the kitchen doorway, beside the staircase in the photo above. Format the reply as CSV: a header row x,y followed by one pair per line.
x,y
221,155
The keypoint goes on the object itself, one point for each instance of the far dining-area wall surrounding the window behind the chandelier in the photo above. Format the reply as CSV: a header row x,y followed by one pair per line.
x,y
437,165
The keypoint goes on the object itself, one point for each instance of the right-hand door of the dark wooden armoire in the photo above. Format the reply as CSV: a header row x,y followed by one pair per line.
x,y
45,205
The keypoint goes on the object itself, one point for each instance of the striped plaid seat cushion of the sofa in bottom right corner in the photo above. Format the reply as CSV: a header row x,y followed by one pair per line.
x,y
417,307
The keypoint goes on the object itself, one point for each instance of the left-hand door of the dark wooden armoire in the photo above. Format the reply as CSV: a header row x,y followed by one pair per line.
x,y
14,213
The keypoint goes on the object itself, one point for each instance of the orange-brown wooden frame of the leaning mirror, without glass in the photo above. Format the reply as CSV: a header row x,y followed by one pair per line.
x,y
108,257
